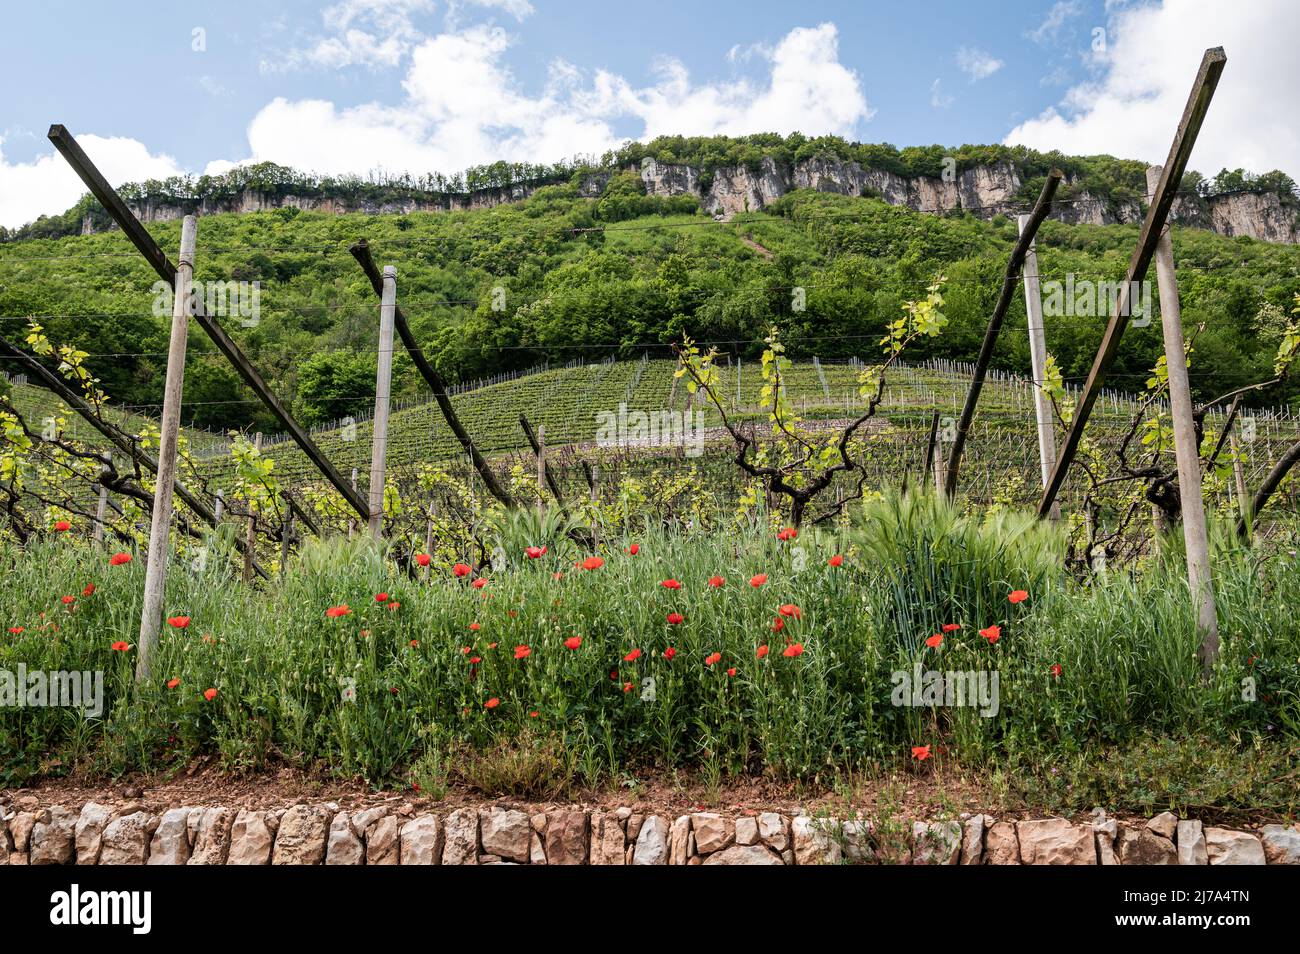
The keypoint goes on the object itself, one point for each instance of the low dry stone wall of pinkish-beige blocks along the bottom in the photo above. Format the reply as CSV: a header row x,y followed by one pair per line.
x,y
496,835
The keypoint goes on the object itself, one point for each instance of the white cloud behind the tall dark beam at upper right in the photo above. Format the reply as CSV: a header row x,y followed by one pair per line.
x,y
1134,109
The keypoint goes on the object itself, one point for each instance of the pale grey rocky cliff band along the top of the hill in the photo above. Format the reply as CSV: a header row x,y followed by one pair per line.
x,y
726,192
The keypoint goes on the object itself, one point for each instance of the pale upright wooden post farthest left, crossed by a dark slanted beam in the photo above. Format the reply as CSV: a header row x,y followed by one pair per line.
x,y
155,571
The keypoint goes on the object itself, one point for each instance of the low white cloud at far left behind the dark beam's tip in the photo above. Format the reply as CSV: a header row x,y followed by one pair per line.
x,y
49,185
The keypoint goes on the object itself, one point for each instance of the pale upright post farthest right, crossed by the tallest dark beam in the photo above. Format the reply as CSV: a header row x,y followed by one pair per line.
x,y
1186,448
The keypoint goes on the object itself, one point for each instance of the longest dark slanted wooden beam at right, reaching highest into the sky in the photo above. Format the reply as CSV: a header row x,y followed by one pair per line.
x,y
1162,202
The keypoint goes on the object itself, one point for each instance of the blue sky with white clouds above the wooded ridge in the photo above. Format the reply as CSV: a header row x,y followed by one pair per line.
x,y
157,89
